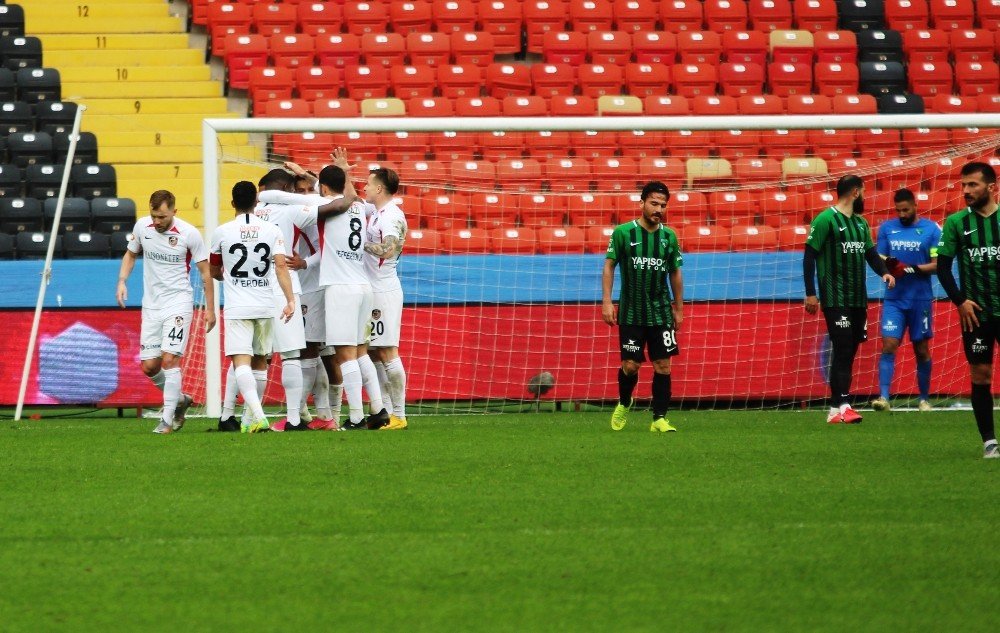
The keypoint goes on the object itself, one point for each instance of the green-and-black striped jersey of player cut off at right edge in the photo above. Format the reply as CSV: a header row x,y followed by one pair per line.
x,y
975,242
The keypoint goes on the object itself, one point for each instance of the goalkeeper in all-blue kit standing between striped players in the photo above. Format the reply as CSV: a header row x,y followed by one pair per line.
x,y
909,244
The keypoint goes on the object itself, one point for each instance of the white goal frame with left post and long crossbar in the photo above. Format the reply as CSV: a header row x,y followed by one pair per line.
x,y
211,128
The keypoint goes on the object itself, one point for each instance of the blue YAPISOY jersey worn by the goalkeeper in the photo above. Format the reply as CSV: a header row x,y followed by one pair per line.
x,y
914,244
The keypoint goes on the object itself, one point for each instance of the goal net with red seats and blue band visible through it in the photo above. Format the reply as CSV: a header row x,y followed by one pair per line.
x,y
510,217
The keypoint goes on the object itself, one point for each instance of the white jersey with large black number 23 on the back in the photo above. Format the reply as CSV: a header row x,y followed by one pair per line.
x,y
245,248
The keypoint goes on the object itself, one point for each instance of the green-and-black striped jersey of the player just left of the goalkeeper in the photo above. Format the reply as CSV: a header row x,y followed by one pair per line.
x,y
841,243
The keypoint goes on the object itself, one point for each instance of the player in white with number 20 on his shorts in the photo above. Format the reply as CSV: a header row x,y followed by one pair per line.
x,y
385,234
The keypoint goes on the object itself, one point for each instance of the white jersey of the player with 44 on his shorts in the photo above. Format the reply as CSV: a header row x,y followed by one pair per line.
x,y
166,266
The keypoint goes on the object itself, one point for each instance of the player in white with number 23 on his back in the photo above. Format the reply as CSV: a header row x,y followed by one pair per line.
x,y
242,253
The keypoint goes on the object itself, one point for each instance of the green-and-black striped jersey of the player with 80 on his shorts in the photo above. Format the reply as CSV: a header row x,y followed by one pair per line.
x,y
645,260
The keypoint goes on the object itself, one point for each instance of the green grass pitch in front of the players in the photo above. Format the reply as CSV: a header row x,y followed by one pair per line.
x,y
742,521
